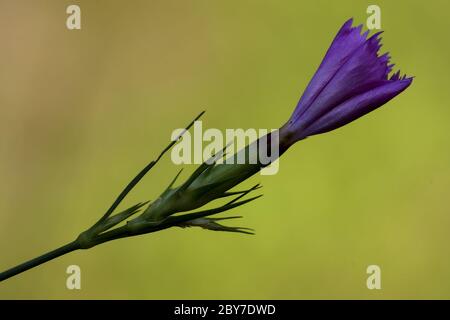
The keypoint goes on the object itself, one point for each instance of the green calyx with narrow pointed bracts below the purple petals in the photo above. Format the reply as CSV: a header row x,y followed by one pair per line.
x,y
209,182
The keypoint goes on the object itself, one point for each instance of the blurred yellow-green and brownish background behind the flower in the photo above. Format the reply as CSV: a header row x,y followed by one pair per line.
x,y
82,111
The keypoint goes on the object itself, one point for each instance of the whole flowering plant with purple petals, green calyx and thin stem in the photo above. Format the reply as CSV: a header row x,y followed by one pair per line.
x,y
352,80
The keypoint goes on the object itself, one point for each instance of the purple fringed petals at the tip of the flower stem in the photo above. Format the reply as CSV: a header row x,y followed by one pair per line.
x,y
351,81
